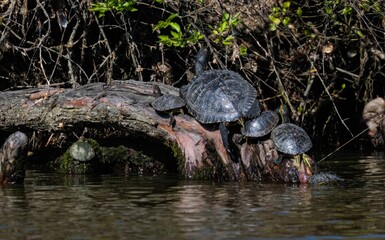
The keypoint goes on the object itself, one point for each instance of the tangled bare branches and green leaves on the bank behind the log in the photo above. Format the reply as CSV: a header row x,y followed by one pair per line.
x,y
321,59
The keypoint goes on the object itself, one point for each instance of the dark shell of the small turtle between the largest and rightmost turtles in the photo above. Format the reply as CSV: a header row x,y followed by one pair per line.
x,y
261,125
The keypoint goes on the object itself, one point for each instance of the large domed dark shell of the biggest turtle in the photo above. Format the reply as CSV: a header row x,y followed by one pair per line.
x,y
219,96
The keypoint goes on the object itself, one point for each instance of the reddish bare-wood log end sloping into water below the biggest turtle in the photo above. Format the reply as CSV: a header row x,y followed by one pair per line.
x,y
200,150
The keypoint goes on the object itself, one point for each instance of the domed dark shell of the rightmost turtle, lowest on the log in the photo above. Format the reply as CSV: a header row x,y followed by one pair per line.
x,y
291,139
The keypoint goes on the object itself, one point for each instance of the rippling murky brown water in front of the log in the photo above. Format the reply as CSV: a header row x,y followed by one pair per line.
x,y
53,206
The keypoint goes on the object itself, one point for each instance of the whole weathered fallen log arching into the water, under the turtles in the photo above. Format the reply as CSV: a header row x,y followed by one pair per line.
x,y
122,110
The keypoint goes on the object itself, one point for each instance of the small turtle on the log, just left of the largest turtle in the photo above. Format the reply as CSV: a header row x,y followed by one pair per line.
x,y
167,103
